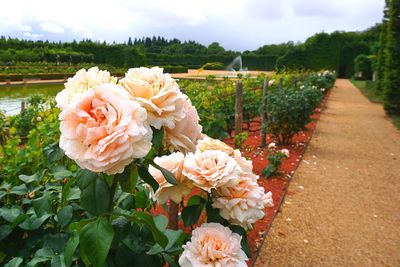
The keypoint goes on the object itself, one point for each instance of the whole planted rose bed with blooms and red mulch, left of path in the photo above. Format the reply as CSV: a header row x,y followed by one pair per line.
x,y
127,172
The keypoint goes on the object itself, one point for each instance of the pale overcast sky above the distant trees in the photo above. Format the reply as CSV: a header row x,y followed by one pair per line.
x,y
235,24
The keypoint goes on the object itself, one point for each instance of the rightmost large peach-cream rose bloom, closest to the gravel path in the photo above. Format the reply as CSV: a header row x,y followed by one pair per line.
x,y
242,204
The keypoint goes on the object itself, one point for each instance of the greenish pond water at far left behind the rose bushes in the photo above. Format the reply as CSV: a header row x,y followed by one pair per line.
x,y
12,96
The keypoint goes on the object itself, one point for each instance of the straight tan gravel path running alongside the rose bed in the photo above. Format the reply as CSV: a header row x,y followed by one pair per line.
x,y
343,206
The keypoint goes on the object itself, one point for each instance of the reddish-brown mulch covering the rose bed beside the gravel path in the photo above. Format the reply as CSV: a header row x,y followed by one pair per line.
x,y
277,185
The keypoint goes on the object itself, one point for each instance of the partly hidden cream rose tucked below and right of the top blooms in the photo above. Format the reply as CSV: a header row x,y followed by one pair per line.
x,y
186,132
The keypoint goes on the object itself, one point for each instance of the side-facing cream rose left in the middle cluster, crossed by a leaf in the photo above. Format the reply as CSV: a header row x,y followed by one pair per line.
x,y
173,163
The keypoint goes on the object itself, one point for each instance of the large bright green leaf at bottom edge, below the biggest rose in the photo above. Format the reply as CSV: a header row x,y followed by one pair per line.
x,y
95,241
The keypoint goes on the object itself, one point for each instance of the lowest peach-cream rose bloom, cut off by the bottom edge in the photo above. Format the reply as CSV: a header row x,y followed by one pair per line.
x,y
213,245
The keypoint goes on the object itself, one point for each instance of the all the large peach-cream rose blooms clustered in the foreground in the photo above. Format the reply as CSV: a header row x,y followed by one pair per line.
x,y
107,123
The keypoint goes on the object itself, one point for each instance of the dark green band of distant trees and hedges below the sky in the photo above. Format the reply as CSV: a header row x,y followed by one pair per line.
x,y
335,51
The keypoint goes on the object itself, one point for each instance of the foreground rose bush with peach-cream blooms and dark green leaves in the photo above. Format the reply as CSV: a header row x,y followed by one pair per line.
x,y
125,147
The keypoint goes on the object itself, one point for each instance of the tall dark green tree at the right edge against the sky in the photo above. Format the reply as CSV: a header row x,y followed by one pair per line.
x,y
391,89
